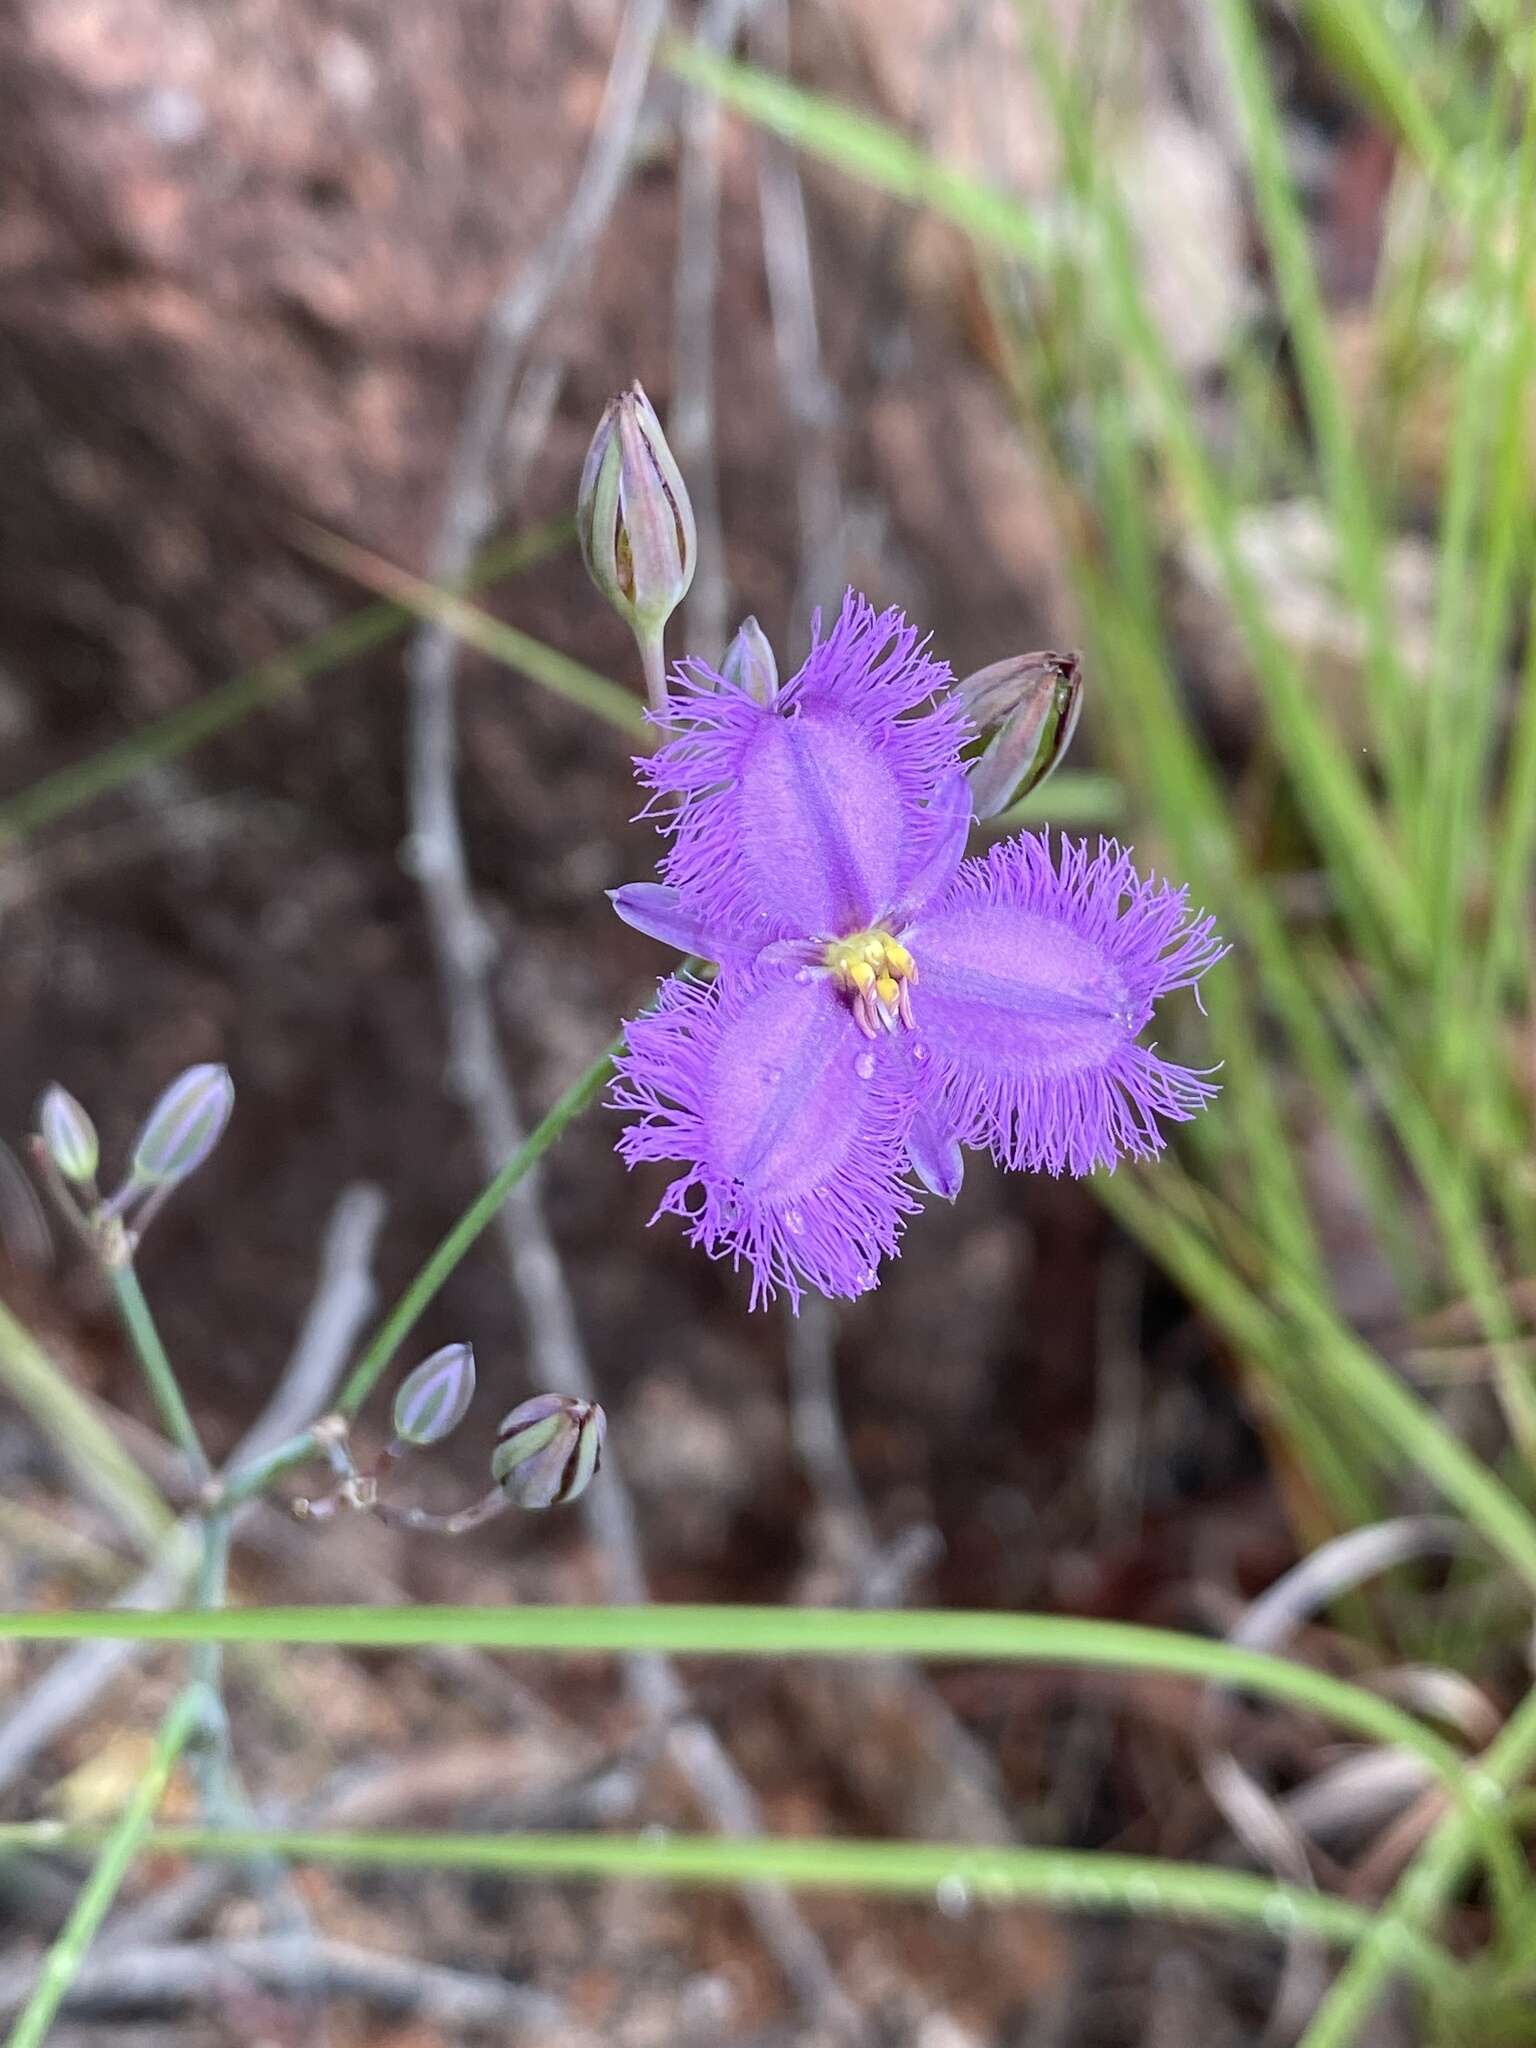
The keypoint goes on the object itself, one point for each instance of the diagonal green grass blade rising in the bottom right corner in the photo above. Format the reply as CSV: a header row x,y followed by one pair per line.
x,y
1422,1893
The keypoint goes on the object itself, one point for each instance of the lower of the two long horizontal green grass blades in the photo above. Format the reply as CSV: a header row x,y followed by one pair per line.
x,y
1086,1881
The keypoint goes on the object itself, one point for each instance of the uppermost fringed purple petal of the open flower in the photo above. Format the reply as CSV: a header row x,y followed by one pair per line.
x,y
802,818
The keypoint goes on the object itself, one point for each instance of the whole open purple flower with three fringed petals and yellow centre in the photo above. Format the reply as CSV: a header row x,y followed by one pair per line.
x,y
882,1000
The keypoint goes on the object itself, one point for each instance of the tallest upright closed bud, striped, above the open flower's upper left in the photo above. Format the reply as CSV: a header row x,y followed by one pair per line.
x,y
634,517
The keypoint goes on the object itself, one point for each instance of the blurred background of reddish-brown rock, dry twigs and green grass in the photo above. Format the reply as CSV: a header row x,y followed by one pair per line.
x,y
1191,333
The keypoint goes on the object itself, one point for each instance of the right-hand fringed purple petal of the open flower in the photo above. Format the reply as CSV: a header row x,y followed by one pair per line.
x,y
1037,978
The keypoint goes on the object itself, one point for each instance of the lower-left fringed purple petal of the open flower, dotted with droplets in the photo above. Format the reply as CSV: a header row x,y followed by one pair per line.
x,y
792,1138
